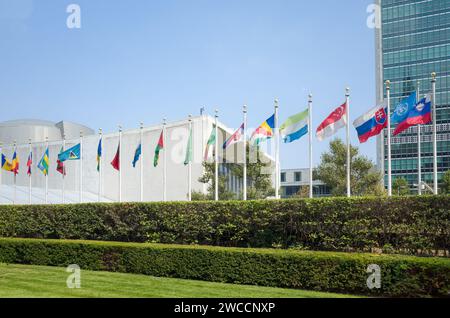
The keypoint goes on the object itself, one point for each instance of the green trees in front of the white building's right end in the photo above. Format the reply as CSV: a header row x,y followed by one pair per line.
x,y
259,184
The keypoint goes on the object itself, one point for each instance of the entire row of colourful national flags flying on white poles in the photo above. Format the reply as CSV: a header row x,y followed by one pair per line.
x,y
407,113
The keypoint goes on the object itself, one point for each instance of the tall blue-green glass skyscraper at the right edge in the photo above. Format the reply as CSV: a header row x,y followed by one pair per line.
x,y
413,42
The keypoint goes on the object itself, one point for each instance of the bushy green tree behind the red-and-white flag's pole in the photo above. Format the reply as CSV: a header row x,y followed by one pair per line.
x,y
364,178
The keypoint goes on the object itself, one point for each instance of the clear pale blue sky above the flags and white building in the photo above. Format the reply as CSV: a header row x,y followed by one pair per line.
x,y
143,60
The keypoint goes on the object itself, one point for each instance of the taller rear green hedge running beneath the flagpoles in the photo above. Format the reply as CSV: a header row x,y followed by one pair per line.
x,y
411,225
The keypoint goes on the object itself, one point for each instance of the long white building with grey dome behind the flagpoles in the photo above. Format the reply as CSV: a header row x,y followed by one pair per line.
x,y
106,183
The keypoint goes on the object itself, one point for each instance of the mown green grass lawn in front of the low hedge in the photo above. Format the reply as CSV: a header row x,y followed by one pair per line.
x,y
43,281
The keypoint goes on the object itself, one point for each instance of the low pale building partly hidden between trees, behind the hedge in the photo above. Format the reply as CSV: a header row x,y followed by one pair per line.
x,y
293,180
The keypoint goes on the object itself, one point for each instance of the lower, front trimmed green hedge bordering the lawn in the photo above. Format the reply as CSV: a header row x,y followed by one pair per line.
x,y
321,271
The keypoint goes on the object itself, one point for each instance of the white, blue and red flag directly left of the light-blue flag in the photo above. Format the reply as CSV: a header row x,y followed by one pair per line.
x,y
371,123
